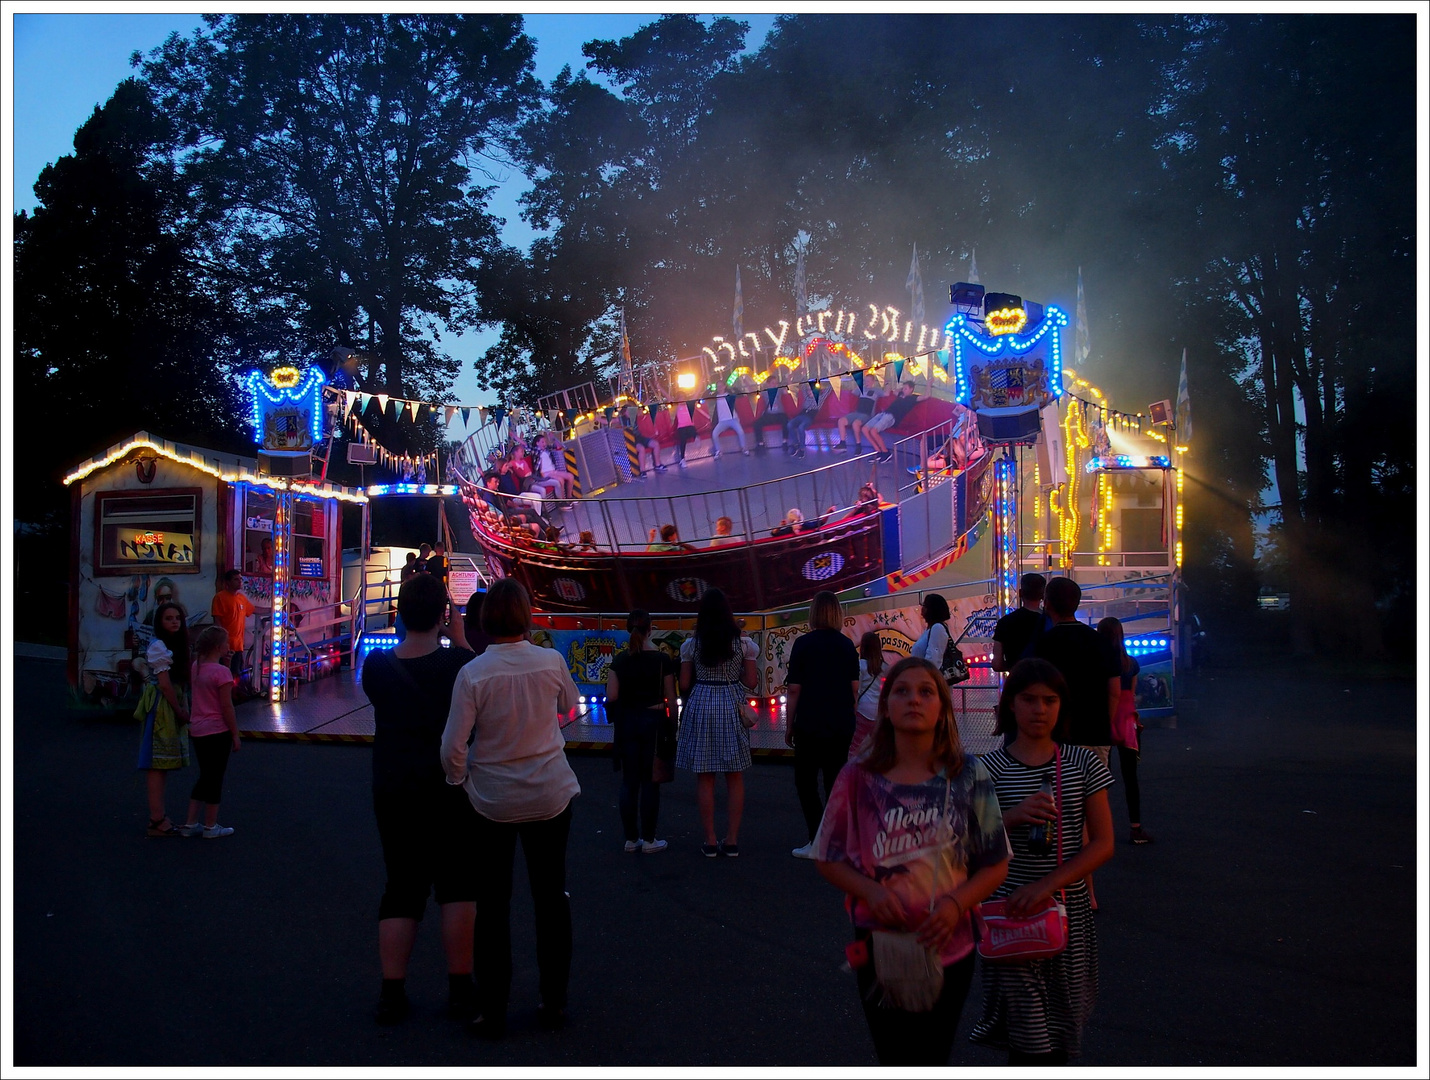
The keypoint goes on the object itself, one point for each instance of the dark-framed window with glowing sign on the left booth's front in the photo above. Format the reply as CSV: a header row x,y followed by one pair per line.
x,y
157,530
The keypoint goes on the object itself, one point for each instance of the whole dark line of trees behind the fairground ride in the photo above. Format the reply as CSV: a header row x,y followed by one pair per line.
x,y
1238,187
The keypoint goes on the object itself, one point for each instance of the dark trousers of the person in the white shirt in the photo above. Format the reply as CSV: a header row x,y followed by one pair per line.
x,y
544,846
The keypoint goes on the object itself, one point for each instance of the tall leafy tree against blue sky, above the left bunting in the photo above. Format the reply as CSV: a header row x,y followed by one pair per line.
x,y
338,165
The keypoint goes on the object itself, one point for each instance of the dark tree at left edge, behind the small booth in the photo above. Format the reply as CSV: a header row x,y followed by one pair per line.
x,y
115,330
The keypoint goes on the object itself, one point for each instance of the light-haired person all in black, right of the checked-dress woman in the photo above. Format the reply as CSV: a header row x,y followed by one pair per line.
x,y
823,686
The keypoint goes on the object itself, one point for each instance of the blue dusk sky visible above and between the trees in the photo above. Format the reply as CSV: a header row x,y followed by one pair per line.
x,y
65,65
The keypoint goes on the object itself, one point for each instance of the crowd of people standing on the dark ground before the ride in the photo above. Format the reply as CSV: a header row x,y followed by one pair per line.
x,y
468,757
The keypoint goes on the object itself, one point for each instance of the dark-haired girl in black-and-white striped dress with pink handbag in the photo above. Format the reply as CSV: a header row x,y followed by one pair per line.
x,y
1036,1009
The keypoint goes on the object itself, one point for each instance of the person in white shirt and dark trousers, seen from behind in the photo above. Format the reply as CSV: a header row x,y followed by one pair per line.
x,y
510,703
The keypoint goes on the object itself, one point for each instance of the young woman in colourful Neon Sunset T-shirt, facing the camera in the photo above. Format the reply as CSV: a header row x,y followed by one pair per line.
x,y
914,838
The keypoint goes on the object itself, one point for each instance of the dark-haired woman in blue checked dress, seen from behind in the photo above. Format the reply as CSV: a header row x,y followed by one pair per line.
x,y
717,672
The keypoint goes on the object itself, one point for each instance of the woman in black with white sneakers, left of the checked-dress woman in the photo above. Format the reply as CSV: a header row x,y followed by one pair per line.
x,y
641,702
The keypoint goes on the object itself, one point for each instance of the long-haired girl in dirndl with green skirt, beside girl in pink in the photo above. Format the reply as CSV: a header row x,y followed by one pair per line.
x,y
164,707
